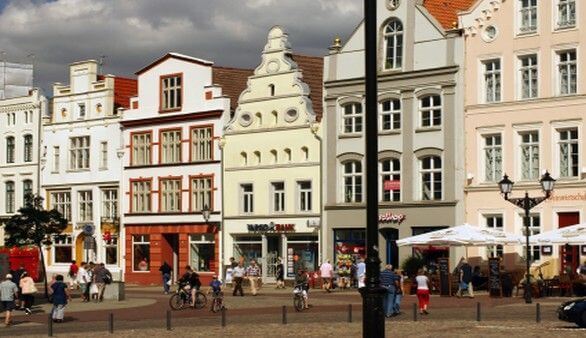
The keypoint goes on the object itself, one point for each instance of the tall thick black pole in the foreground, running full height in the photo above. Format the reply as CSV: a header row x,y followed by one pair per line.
x,y
373,319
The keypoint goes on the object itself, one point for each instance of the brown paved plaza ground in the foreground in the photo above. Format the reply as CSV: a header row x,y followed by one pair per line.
x,y
144,313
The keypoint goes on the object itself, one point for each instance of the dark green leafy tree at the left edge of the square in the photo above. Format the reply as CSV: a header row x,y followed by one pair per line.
x,y
33,225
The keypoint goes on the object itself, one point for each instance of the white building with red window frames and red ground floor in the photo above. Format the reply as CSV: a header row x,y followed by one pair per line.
x,y
172,169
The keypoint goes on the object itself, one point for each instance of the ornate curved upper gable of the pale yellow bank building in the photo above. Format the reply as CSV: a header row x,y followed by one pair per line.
x,y
277,69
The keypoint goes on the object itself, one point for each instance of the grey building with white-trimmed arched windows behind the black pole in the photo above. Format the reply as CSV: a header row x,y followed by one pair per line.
x,y
420,83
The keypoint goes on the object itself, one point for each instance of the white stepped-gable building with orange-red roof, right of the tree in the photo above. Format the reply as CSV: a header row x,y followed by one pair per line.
x,y
81,166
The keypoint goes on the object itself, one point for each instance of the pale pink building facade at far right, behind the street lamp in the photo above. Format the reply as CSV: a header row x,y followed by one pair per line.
x,y
525,110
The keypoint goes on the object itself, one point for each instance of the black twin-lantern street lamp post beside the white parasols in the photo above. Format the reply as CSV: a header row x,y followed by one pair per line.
x,y
527,203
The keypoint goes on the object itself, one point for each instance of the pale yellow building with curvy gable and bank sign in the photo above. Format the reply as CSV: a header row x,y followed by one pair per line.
x,y
271,160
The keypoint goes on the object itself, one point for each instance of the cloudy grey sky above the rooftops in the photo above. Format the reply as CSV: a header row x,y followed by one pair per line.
x,y
132,33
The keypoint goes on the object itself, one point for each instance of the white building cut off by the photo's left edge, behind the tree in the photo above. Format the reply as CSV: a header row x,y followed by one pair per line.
x,y
20,135
